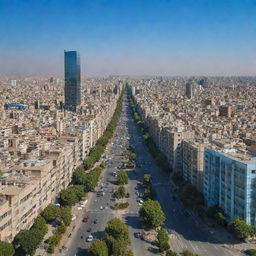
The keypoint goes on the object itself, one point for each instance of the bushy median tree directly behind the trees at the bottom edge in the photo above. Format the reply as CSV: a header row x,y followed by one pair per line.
x,y
117,229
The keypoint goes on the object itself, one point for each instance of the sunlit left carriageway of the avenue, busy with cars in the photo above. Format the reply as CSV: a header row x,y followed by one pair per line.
x,y
77,242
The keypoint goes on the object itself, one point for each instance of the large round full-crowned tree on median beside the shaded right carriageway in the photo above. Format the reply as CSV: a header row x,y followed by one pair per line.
x,y
152,214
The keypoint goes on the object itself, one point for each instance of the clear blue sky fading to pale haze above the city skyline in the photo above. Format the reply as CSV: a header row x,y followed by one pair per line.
x,y
134,37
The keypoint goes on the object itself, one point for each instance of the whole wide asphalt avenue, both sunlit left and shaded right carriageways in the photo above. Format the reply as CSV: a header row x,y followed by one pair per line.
x,y
185,229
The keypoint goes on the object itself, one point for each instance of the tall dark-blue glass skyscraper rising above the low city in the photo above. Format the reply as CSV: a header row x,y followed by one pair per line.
x,y
72,80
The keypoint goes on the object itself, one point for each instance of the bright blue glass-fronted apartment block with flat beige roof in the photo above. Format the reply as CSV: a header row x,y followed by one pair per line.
x,y
229,182
